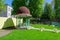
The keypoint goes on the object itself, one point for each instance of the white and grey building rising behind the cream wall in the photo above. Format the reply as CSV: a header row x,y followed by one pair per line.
x,y
7,12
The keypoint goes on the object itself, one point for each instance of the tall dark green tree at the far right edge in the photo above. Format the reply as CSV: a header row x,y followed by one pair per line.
x,y
57,8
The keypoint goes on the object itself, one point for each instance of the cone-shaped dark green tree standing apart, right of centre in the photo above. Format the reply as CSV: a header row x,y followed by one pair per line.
x,y
48,13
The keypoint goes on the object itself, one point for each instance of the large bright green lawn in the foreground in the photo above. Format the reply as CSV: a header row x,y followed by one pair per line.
x,y
31,35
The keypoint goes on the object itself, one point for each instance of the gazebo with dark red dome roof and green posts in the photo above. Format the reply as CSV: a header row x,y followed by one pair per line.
x,y
23,17
